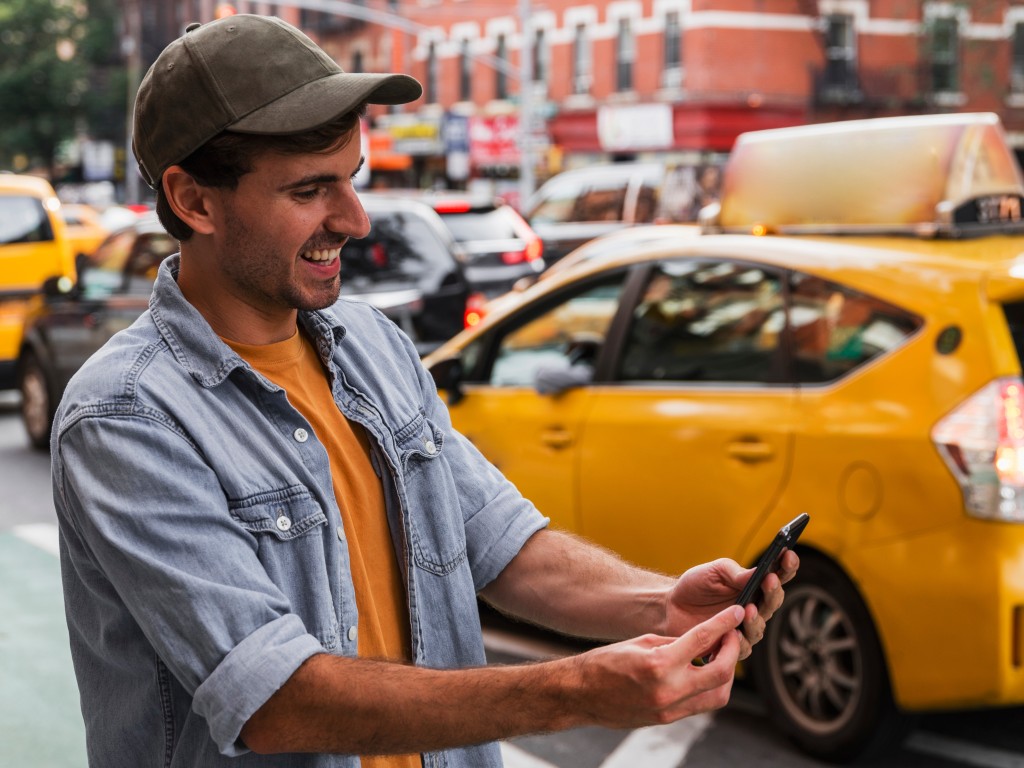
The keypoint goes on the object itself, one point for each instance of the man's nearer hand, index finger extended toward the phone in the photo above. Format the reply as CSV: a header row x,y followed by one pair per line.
x,y
652,680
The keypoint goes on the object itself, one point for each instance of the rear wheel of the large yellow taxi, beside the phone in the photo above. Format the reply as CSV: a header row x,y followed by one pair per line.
x,y
822,670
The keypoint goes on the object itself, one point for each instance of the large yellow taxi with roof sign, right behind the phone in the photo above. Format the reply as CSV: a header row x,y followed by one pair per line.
x,y
845,340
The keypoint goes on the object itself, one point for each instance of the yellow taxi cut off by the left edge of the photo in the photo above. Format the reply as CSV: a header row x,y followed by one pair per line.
x,y
33,248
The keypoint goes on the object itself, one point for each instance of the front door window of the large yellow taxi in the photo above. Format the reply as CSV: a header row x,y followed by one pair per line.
x,y
566,337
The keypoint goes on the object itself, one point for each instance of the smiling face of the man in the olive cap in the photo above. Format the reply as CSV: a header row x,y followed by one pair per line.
x,y
279,235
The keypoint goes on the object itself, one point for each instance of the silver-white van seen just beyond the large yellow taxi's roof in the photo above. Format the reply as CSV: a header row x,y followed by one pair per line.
x,y
579,205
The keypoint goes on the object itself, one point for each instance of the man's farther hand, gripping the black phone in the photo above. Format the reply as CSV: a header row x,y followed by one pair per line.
x,y
705,590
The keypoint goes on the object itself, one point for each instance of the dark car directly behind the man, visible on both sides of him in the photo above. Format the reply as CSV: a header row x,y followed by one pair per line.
x,y
409,267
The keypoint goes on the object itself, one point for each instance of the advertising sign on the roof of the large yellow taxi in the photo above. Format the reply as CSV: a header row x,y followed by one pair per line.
x,y
931,176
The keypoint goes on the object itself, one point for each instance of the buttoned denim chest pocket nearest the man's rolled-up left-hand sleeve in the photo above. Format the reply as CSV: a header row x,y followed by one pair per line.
x,y
290,531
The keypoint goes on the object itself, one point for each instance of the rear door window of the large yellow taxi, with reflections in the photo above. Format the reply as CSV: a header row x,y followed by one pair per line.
x,y
707,321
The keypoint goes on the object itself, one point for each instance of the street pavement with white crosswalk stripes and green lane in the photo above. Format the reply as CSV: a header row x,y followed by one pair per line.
x,y
40,723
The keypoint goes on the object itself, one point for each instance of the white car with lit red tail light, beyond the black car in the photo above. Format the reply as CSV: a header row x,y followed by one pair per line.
x,y
501,248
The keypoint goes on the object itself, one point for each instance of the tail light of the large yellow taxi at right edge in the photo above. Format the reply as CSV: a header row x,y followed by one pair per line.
x,y
983,443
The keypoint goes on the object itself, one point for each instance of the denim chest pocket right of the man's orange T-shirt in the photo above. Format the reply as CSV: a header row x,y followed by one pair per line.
x,y
439,535
